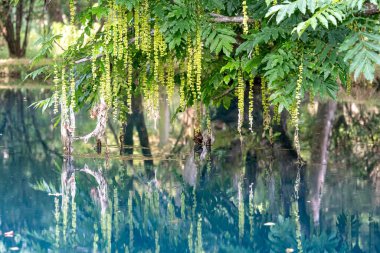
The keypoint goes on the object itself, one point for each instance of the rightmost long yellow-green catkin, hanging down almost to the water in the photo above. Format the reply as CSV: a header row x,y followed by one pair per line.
x,y
295,111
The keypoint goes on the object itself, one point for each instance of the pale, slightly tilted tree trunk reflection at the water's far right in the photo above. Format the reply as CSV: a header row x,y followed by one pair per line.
x,y
319,157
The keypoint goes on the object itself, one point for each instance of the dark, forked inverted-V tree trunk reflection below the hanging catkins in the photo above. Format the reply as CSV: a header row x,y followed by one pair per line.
x,y
137,119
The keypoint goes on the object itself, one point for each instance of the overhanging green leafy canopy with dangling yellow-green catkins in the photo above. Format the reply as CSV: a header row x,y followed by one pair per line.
x,y
209,48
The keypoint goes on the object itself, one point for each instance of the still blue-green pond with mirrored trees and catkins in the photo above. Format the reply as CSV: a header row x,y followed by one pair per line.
x,y
243,195
